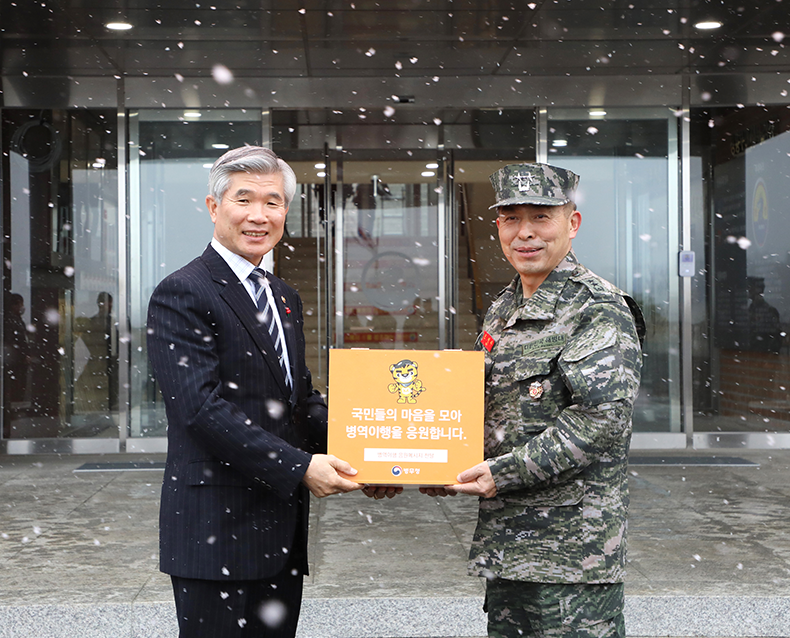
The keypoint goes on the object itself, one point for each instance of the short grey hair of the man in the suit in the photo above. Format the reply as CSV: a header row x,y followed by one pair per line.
x,y
249,159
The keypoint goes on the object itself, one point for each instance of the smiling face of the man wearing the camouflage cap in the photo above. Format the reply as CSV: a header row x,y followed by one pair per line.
x,y
535,239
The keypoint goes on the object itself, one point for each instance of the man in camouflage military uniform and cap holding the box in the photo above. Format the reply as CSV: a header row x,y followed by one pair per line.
x,y
563,359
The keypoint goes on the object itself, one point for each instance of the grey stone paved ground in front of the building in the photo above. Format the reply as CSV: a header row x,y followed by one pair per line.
x,y
709,554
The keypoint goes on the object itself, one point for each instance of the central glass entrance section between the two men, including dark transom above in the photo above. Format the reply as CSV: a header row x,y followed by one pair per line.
x,y
390,180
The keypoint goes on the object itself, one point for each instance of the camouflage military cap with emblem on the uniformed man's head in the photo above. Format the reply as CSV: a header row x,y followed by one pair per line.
x,y
539,184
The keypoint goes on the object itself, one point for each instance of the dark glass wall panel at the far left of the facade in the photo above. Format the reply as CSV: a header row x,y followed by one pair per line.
x,y
60,274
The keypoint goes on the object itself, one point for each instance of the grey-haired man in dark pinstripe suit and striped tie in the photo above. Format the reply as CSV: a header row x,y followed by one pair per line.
x,y
245,426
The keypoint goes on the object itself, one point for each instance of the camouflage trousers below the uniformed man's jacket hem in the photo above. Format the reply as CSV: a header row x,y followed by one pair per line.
x,y
540,610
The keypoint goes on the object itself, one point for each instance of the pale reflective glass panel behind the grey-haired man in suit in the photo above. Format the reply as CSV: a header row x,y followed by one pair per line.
x,y
171,154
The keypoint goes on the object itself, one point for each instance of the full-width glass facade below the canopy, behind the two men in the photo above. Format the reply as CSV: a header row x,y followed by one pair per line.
x,y
391,248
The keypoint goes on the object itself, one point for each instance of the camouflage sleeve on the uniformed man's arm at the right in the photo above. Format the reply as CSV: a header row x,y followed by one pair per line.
x,y
601,367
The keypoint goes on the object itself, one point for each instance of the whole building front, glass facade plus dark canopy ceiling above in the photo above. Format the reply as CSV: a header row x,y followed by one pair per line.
x,y
393,121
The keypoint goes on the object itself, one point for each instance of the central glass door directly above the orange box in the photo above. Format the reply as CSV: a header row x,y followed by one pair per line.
x,y
388,251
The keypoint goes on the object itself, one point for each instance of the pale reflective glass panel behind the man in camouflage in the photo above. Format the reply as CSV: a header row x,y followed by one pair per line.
x,y
629,232
